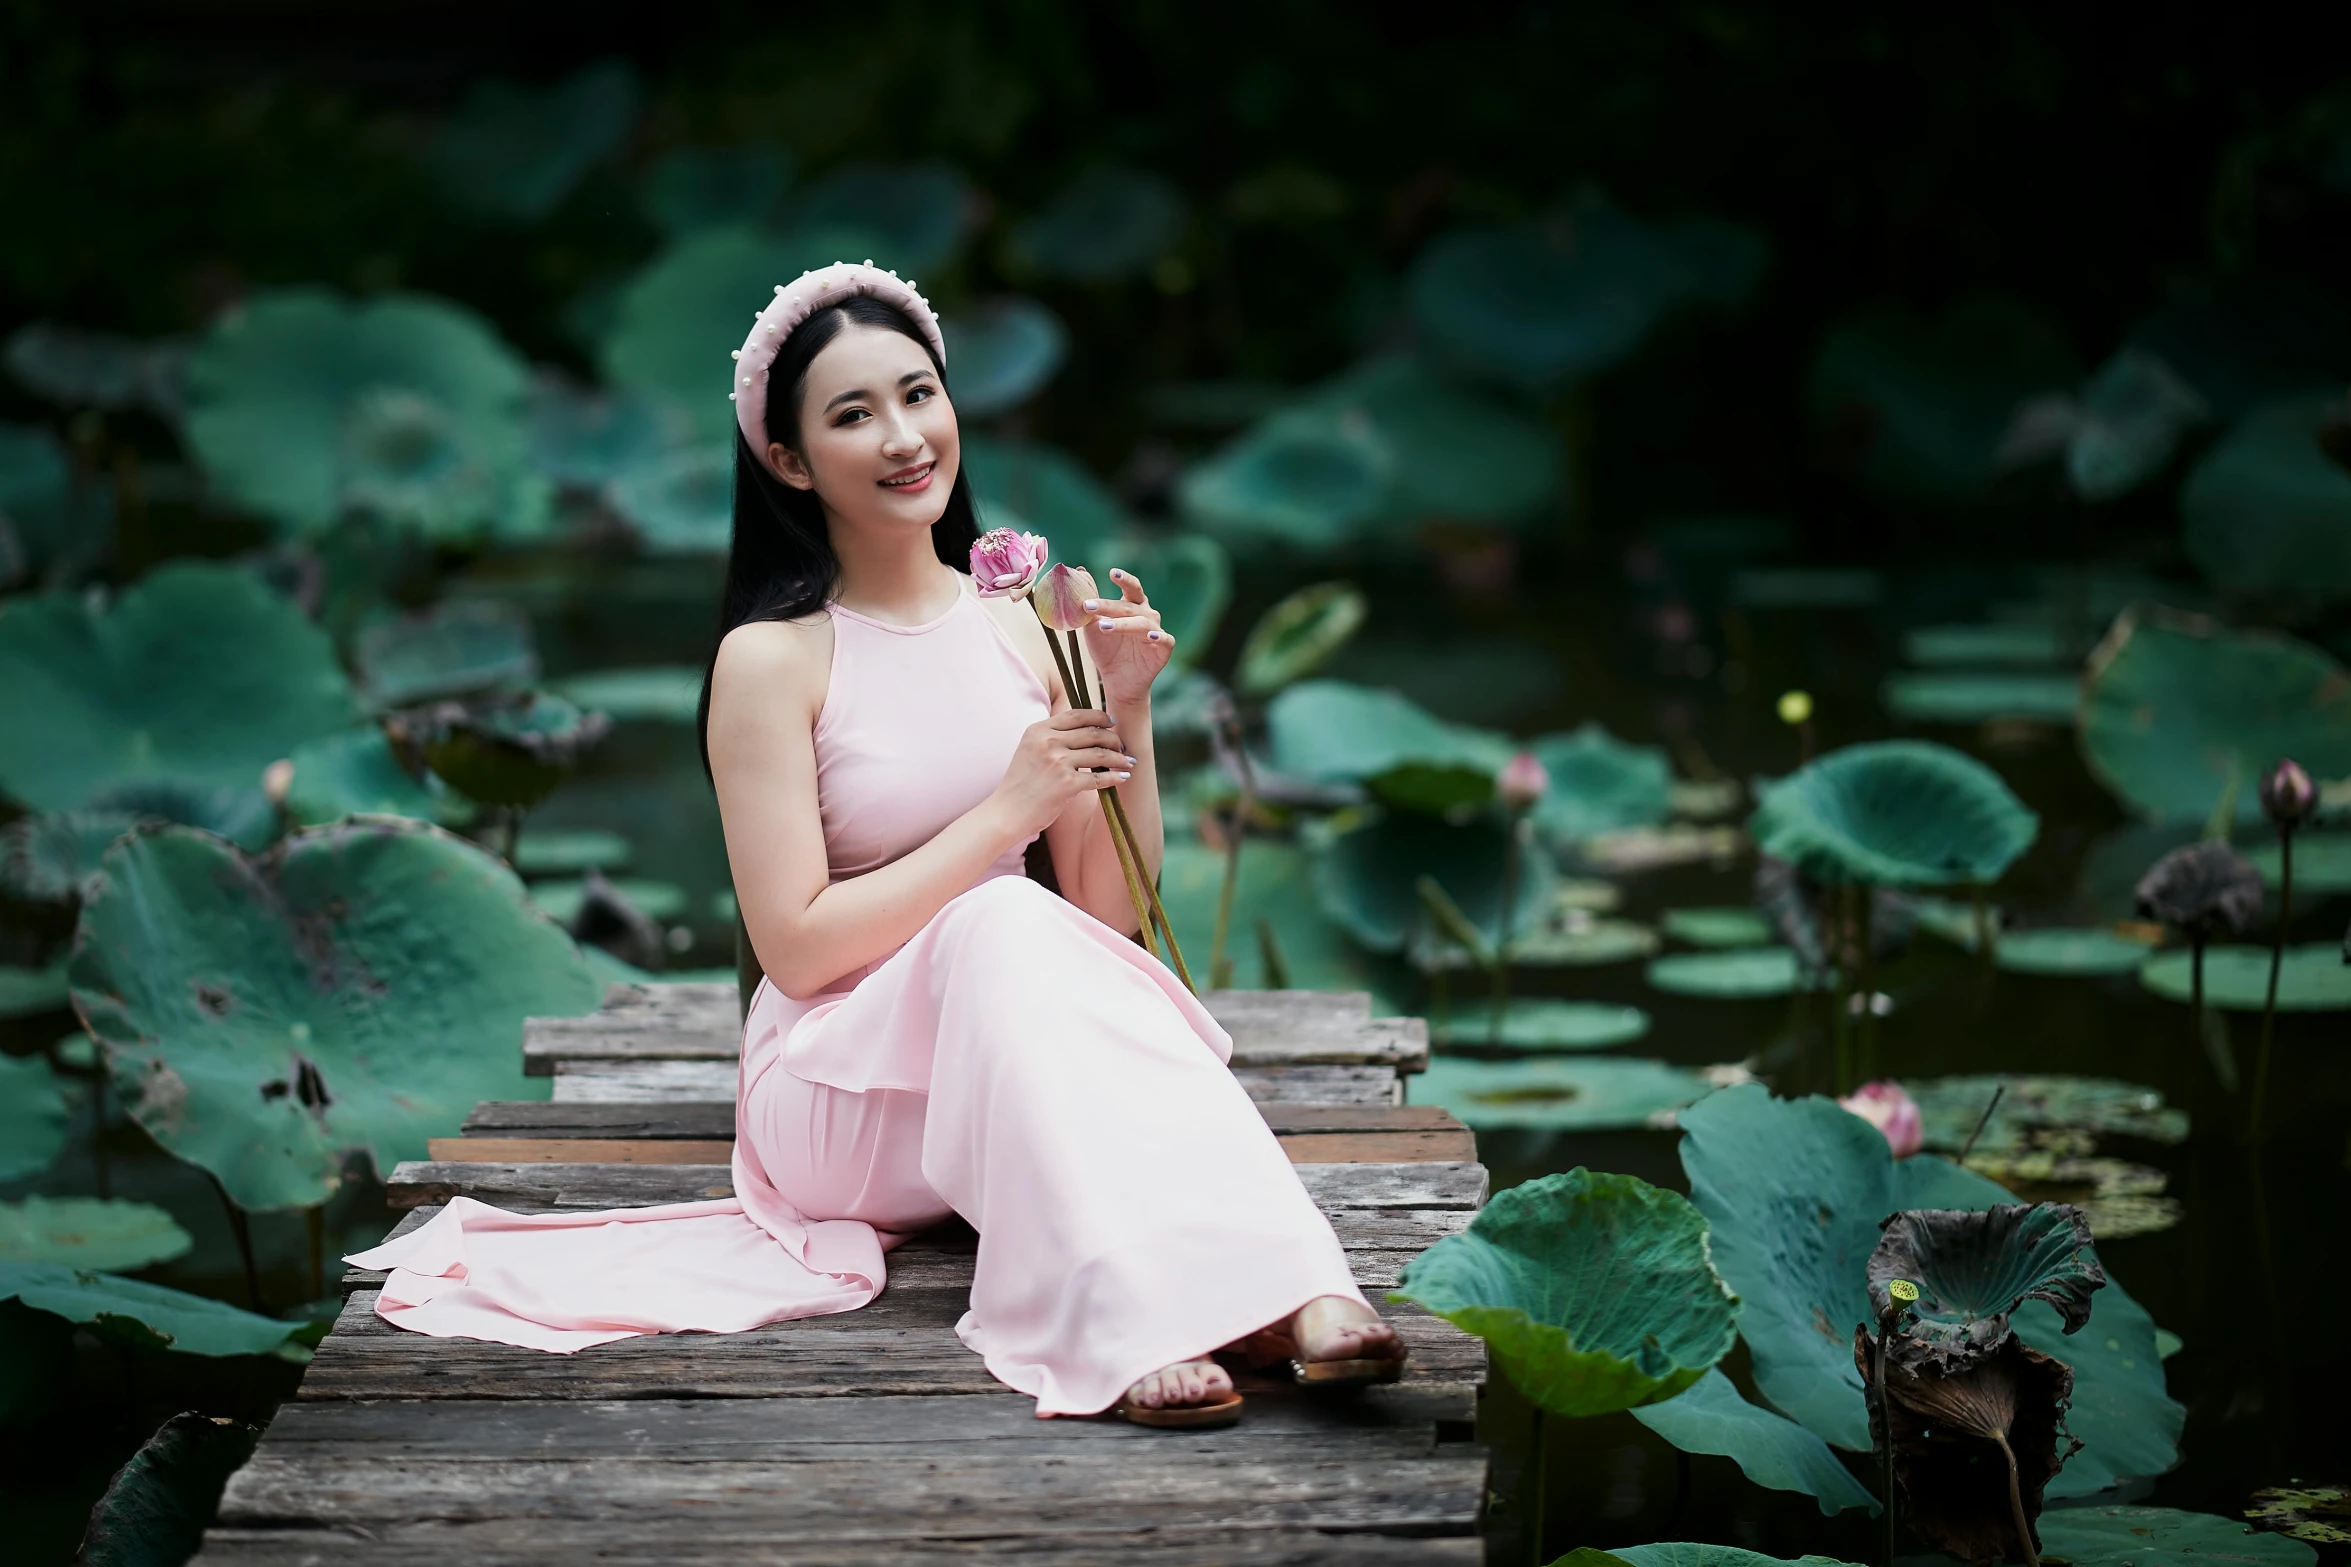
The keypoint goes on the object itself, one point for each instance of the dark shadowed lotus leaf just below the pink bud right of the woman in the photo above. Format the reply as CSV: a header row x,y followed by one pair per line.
x,y
1369,877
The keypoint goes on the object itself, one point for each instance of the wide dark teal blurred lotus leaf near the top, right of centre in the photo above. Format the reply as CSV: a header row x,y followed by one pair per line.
x,y
1574,292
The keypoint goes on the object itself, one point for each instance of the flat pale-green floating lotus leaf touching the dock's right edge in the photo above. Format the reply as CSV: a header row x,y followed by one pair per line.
x,y
1576,1094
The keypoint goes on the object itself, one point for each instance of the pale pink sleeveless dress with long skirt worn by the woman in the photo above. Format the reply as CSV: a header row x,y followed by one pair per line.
x,y
1017,1063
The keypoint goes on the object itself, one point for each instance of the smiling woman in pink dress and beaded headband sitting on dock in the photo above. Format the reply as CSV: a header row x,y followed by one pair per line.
x,y
935,1035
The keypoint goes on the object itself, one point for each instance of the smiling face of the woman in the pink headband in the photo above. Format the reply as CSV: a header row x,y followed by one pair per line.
x,y
878,433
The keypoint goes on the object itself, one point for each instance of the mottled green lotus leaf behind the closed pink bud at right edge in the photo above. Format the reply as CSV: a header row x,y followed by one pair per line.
x,y
2178,711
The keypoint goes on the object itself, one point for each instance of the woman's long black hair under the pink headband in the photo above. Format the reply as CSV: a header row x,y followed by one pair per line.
x,y
782,563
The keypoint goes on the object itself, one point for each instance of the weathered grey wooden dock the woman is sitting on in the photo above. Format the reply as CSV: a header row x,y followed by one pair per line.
x,y
869,1439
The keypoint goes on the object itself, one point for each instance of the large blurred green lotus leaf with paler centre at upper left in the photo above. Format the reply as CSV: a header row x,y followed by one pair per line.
x,y
309,408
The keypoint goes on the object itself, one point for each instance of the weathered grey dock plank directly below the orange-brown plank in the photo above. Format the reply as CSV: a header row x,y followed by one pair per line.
x,y
605,1185
